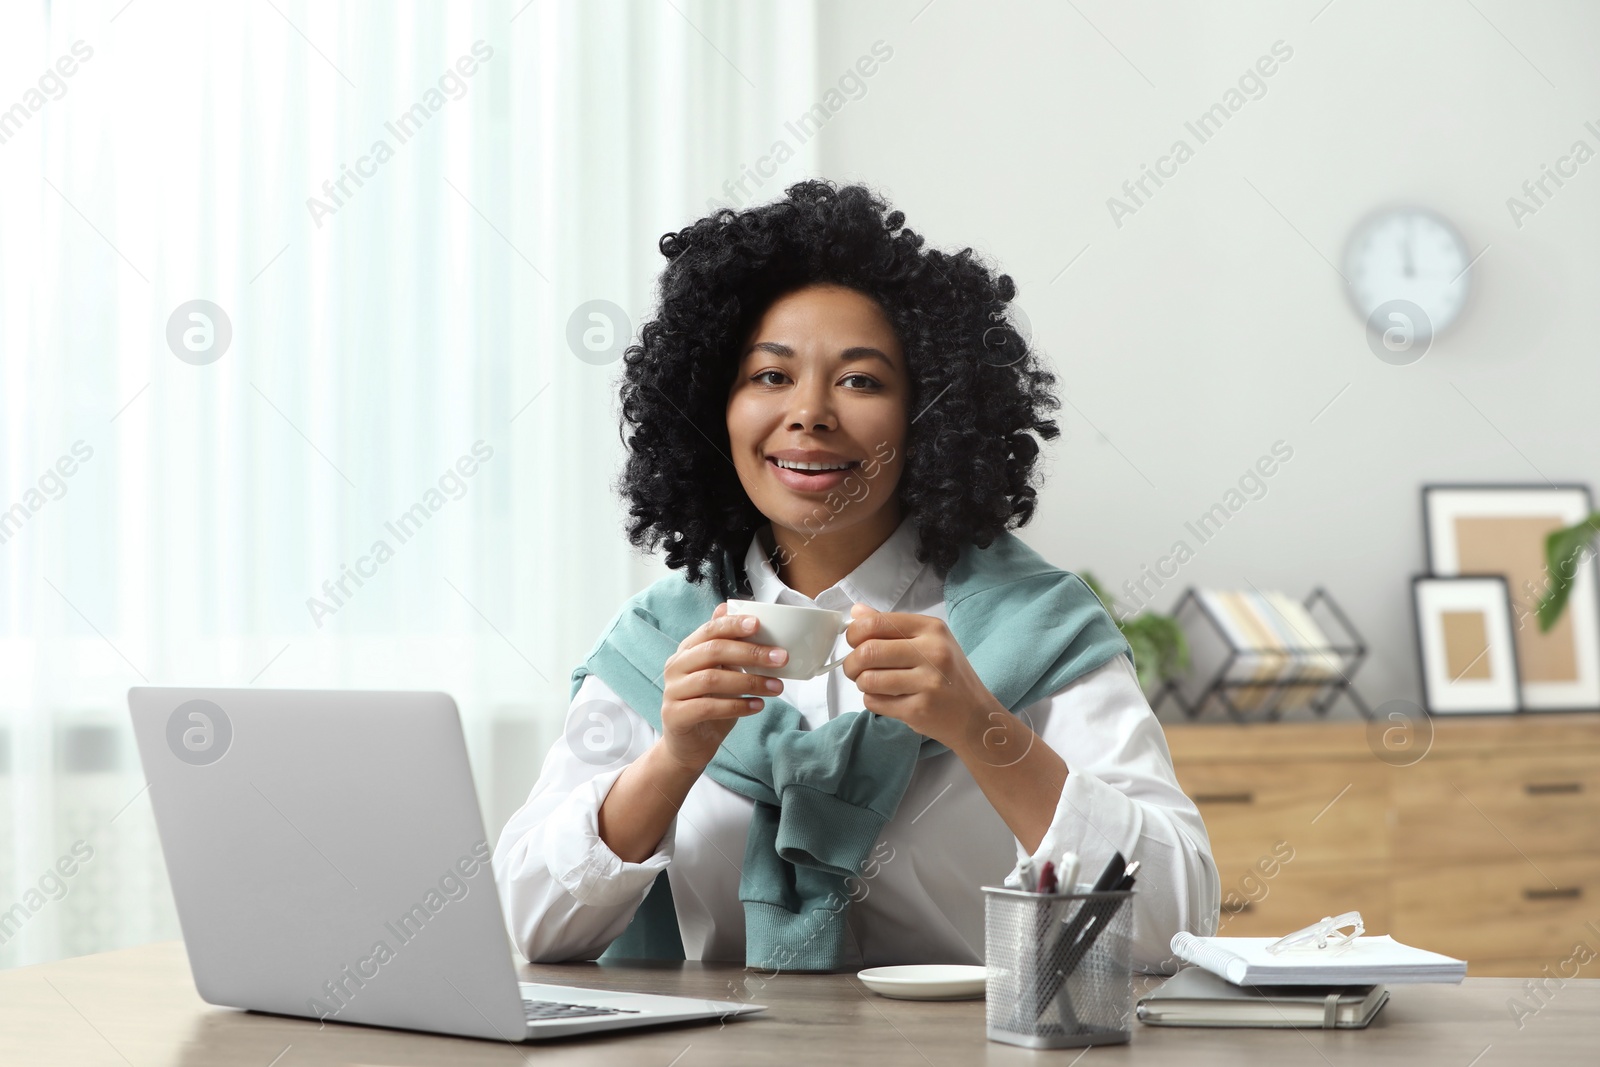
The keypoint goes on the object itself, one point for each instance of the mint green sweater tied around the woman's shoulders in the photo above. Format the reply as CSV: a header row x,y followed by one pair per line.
x,y
823,796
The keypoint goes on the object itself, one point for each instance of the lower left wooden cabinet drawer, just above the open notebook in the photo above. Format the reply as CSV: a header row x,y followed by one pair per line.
x,y
1300,895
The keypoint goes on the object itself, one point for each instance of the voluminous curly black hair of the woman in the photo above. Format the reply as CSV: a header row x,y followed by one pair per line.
x,y
969,457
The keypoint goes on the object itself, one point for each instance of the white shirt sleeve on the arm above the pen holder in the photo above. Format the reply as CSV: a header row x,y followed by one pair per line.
x,y
1122,796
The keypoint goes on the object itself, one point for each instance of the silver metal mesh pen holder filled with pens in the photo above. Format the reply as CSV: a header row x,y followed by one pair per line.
x,y
1060,967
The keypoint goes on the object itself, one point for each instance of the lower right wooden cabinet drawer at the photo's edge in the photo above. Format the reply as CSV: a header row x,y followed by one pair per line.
x,y
1500,911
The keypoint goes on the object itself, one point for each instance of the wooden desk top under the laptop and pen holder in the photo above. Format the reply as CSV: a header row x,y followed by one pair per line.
x,y
138,1007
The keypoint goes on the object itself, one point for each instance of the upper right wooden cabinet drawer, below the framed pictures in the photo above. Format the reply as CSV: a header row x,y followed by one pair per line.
x,y
1482,805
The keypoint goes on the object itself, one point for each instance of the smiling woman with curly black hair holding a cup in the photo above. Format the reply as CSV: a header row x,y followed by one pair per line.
x,y
828,415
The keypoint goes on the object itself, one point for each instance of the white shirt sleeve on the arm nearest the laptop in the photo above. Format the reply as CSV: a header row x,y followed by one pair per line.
x,y
567,895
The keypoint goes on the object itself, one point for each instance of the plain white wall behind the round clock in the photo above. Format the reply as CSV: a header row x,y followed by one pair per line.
x,y
1210,326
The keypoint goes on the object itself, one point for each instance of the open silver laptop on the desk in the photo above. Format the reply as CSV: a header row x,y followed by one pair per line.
x,y
329,860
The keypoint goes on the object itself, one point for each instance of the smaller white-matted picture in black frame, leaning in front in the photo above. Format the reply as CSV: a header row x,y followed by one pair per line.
x,y
1465,639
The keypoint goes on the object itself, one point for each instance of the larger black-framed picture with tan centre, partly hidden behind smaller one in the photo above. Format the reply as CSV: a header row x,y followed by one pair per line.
x,y
1502,530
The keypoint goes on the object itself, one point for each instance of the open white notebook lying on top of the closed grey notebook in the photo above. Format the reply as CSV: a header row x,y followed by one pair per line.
x,y
1367,961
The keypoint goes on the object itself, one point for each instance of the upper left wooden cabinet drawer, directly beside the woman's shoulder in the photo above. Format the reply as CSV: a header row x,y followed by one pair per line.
x,y
1332,812
